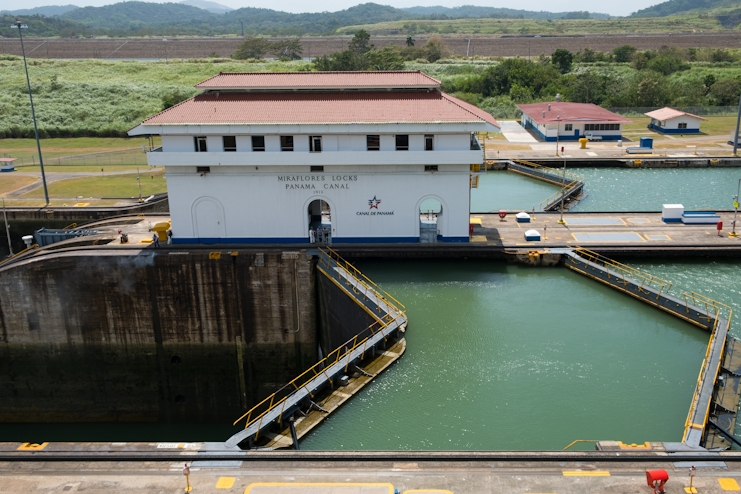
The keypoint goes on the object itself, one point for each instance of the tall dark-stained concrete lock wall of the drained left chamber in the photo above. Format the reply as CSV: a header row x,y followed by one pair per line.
x,y
152,337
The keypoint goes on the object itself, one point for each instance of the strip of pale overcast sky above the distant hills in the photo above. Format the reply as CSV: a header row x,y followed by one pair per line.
x,y
624,7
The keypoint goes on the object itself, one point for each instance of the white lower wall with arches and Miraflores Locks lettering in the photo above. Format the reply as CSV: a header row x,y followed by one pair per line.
x,y
268,204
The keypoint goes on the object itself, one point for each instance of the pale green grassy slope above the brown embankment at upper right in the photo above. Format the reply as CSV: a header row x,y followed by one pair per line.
x,y
677,23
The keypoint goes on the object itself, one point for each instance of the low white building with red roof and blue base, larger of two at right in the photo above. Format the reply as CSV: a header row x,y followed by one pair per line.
x,y
571,121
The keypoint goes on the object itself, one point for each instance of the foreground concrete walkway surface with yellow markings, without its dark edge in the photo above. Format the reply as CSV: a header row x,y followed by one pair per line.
x,y
353,477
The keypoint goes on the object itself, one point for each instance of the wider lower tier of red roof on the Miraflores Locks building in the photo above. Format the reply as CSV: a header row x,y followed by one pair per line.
x,y
321,108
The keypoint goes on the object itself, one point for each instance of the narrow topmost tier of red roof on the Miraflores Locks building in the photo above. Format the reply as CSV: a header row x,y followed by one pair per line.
x,y
320,80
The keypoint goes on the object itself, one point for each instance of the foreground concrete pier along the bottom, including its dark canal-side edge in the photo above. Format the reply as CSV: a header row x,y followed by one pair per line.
x,y
149,470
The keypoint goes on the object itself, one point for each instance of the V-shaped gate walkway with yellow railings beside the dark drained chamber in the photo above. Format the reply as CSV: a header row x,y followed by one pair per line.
x,y
389,319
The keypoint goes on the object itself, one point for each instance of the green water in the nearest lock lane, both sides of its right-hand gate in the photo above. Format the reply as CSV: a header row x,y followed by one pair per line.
x,y
509,357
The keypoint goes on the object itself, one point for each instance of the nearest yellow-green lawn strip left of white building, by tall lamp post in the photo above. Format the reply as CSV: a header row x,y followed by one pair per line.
x,y
112,186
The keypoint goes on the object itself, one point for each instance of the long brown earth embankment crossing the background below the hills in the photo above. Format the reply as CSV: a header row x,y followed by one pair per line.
x,y
482,45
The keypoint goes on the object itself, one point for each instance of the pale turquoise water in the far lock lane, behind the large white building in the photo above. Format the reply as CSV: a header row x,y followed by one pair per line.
x,y
614,189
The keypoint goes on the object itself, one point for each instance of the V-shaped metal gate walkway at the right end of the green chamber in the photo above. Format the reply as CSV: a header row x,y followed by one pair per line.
x,y
694,308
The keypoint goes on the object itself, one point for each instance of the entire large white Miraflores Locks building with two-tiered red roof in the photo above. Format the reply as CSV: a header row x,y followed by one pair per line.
x,y
296,157
